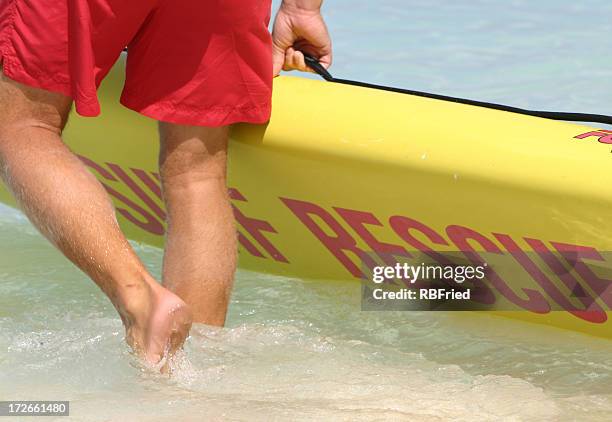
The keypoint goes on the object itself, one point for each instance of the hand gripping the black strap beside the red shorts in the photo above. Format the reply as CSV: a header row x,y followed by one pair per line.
x,y
299,27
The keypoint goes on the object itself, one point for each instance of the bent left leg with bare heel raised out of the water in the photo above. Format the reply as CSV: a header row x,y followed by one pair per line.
x,y
71,208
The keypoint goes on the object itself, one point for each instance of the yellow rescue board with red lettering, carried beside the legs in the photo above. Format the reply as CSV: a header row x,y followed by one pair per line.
x,y
341,173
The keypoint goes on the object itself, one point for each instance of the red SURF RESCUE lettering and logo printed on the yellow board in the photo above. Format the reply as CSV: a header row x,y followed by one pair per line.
x,y
331,233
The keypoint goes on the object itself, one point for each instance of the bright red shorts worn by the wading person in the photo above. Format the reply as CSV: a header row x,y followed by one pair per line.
x,y
196,62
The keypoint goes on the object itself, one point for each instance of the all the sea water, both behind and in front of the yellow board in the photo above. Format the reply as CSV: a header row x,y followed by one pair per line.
x,y
303,350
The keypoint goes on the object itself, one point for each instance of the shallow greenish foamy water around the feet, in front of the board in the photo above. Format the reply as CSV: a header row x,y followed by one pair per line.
x,y
293,350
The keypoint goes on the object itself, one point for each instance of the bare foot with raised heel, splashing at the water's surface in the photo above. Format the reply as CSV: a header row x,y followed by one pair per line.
x,y
158,326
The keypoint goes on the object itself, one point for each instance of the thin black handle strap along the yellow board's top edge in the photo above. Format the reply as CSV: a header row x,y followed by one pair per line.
x,y
314,64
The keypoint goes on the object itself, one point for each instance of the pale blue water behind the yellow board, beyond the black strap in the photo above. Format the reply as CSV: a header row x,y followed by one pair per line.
x,y
546,54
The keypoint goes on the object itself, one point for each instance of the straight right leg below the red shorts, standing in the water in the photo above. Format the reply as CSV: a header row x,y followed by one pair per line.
x,y
200,256
